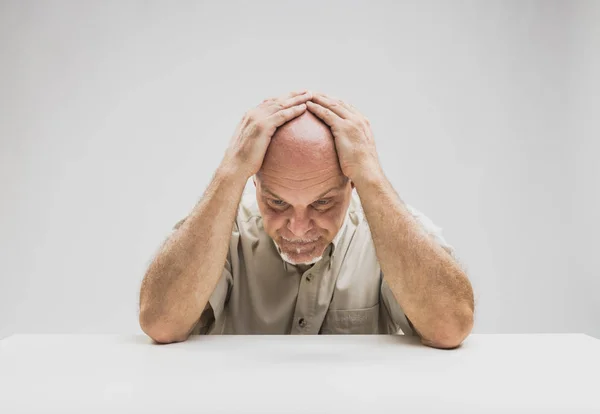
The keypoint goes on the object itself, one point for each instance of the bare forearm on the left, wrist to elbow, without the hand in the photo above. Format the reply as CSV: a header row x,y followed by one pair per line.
x,y
183,275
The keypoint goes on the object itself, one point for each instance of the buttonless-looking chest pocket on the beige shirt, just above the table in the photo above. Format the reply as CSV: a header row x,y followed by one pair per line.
x,y
351,321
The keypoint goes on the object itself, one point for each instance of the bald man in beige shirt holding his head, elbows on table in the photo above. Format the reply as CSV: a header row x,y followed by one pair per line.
x,y
325,246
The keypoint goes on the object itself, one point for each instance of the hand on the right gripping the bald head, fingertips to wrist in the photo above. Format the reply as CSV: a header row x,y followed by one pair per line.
x,y
352,133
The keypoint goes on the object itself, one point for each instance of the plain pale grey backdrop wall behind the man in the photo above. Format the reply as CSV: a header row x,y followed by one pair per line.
x,y
115,114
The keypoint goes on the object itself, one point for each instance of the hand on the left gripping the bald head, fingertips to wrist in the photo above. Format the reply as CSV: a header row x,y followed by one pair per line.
x,y
251,139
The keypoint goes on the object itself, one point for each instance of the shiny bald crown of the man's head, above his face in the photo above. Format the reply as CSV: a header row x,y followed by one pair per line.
x,y
302,149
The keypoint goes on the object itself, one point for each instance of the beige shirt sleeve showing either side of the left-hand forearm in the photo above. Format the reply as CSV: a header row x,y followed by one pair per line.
x,y
213,311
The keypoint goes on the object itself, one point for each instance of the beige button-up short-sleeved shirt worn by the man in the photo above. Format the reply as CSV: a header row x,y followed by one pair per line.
x,y
343,293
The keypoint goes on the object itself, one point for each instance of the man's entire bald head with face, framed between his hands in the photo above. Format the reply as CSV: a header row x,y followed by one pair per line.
x,y
301,191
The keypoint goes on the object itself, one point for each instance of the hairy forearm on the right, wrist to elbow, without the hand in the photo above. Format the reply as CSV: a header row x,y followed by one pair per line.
x,y
426,280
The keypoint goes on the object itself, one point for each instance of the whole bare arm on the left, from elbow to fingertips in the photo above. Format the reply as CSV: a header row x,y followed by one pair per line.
x,y
183,275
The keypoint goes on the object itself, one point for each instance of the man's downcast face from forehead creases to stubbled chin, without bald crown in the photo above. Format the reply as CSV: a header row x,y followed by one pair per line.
x,y
302,214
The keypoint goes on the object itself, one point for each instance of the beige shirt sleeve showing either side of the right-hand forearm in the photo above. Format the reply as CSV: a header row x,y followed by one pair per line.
x,y
398,321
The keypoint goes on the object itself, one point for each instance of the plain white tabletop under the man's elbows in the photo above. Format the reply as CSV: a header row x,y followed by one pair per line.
x,y
547,373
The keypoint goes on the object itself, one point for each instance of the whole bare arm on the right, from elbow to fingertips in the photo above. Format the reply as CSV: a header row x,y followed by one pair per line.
x,y
426,281
